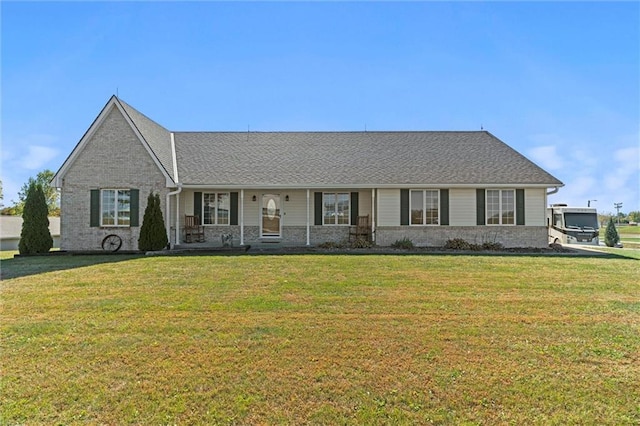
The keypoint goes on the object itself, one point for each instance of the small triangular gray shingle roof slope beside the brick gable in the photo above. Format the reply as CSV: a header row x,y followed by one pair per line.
x,y
156,136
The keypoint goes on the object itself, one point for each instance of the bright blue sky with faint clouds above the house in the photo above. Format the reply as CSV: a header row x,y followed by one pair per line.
x,y
558,81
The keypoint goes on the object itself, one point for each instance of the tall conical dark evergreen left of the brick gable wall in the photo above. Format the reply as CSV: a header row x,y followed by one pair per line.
x,y
35,236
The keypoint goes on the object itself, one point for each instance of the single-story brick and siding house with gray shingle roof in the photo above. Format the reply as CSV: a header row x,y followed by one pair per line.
x,y
298,188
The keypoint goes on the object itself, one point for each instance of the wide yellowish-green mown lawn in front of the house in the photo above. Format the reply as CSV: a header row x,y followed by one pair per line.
x,y
320,339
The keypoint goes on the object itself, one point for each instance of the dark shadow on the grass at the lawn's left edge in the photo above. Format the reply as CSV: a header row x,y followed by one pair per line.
x,y
22,266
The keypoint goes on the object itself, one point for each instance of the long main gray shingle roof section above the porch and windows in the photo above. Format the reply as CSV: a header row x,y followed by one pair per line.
x,y
352,158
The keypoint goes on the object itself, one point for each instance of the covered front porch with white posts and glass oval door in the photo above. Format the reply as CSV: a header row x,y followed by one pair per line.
x,y
269,217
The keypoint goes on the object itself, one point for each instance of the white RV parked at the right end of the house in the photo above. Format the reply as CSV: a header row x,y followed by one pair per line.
x,y
572,225
